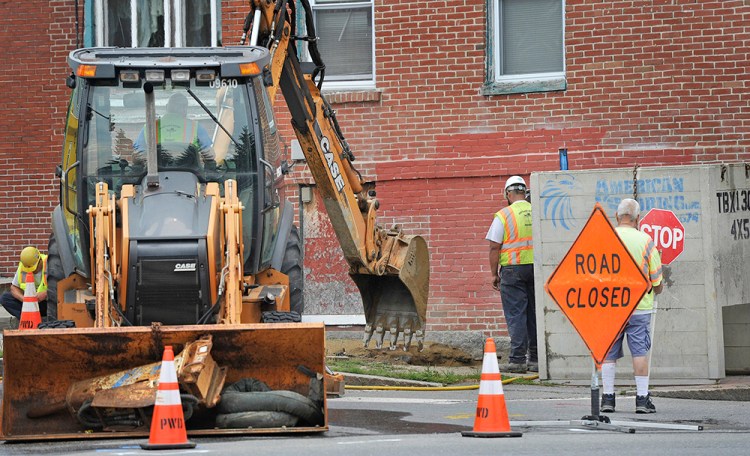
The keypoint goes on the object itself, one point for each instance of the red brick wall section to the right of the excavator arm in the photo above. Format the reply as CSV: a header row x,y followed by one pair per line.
x,y
648,82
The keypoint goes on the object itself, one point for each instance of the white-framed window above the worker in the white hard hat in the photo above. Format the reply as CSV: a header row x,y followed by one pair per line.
x,y
527,46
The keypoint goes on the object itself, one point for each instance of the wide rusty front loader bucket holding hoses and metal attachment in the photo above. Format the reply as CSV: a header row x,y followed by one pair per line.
x,y
81,383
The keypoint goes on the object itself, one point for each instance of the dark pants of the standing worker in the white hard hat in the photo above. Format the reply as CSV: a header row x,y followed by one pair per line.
x,y
517,293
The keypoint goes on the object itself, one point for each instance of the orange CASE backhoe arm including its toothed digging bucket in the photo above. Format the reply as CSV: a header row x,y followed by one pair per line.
x,y
390,268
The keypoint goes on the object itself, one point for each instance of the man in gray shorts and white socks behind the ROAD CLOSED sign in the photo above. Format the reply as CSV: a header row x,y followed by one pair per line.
x,y
642,249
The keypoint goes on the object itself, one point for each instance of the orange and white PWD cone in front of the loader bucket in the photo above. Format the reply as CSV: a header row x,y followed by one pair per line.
x,y
167,423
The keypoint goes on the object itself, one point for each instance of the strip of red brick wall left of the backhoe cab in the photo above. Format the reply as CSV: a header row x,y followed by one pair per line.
x,y
36,38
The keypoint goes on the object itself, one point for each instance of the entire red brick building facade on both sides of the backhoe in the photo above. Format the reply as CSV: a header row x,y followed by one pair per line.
x,y
645,82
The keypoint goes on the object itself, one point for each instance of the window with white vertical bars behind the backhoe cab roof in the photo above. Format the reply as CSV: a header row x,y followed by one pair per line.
x,y
153,23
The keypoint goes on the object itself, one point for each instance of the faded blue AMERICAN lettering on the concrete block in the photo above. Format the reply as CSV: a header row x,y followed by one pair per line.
x,y
666,193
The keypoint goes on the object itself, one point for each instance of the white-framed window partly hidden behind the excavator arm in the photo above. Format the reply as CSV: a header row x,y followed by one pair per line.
x,y
346,35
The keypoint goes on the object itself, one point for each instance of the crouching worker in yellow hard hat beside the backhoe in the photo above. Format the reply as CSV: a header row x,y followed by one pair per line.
x,y
31,261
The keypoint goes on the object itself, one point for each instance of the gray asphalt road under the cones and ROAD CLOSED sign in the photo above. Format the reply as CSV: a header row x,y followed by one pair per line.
x,y
430,423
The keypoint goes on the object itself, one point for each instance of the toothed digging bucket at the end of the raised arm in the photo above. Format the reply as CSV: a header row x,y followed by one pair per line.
x,y
396,301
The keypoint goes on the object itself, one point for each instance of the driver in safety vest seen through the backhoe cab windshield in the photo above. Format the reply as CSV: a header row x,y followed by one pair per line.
x,y
175,132
